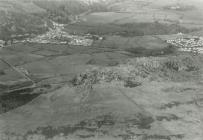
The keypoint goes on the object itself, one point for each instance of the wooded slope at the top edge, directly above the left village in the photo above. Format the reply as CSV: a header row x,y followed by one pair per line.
x,y
65,10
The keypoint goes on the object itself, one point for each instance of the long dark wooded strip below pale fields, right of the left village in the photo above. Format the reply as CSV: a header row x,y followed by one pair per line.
x,y
128,29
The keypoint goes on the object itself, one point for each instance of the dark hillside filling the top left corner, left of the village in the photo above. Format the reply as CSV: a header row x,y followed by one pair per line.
x,y
17,18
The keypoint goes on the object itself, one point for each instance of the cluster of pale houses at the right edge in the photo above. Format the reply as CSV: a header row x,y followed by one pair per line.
x,y
192,44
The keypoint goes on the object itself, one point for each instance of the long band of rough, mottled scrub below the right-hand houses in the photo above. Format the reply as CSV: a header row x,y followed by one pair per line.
x,y
168,68
